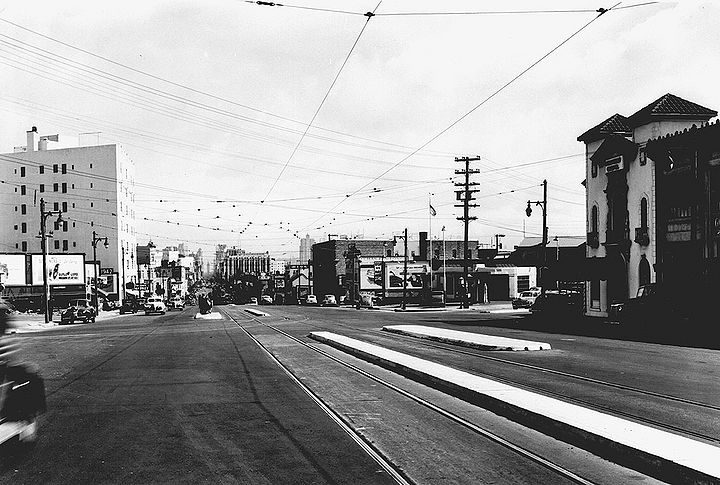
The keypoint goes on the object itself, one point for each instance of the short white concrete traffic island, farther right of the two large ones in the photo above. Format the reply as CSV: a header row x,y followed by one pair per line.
x,y
466,339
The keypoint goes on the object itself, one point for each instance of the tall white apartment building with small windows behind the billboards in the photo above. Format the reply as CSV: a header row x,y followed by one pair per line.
x,y
94,187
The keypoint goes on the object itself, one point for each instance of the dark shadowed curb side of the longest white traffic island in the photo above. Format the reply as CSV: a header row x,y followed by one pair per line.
x,y
644,462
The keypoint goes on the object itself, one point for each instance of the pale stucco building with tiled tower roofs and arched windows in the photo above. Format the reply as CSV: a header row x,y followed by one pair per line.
x,y
622,199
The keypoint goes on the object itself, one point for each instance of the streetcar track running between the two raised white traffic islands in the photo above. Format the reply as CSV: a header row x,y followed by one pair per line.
x,y
529,387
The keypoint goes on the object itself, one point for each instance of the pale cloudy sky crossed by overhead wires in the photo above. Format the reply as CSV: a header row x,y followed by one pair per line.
x,y
265,123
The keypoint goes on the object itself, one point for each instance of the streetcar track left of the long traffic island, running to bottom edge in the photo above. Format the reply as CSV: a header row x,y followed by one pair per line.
x,y
447,414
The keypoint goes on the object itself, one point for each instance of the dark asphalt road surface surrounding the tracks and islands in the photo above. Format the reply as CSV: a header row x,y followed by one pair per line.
x,y
171,399
